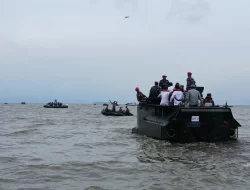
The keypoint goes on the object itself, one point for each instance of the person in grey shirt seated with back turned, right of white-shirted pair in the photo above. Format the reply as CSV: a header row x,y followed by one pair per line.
x,y
193,97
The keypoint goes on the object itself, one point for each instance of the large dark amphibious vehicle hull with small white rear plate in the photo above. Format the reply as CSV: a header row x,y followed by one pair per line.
x,y
186,124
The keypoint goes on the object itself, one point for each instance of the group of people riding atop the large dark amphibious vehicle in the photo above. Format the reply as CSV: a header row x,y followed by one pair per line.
x,y
161,94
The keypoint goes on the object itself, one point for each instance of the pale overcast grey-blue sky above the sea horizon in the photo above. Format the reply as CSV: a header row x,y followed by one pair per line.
x,y
85,50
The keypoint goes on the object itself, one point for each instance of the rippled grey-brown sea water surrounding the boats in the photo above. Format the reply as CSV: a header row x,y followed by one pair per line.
x,y
78,148
